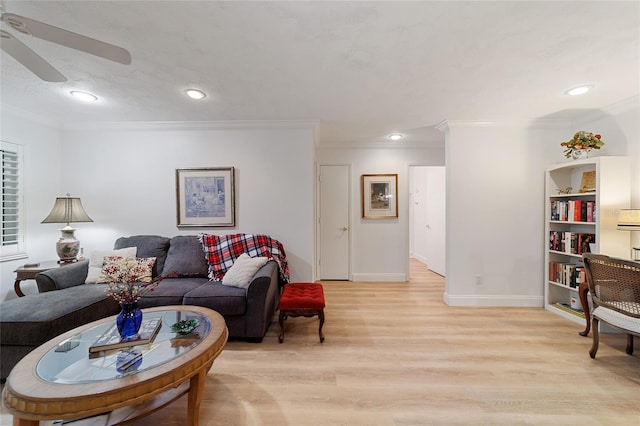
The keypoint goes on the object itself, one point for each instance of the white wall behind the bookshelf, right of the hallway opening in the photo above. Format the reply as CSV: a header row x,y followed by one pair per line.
x,y
495,213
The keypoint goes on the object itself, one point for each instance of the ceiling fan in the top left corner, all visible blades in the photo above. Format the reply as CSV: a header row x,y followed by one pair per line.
x,y
34,62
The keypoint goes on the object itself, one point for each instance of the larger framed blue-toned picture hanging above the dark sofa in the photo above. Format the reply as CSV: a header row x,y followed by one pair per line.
x,y
206,197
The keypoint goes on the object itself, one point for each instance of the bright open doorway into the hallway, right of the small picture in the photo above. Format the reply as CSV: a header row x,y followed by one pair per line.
x,y
427,216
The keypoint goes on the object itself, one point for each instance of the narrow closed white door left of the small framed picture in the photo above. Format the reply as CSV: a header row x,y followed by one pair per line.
x,y
334,262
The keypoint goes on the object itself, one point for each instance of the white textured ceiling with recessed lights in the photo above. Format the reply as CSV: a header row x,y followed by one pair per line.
x,y
362,69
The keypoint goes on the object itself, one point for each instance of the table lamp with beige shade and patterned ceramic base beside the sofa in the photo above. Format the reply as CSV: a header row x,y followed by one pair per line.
x,y
66,210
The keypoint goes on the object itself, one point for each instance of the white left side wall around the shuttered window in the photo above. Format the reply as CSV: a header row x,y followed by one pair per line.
x,y
42,151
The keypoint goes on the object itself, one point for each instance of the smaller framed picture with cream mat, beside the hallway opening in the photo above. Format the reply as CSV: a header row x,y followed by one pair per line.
x,y
380,196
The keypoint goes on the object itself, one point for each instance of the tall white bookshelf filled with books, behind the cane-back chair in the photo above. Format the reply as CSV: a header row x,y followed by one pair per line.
x,y
581,216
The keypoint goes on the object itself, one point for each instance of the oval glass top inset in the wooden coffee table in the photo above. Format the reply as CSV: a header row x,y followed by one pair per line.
x,y
69,362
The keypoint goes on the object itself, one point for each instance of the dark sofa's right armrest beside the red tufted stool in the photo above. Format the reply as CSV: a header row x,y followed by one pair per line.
x,y
262,300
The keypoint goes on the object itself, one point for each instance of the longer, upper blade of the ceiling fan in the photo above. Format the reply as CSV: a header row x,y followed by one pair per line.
x,y
67,38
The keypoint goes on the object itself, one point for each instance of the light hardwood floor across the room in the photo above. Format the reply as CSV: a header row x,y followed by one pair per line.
x,y
395,354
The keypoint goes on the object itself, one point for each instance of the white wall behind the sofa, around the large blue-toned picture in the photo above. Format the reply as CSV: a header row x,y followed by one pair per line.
x,y
125,176
